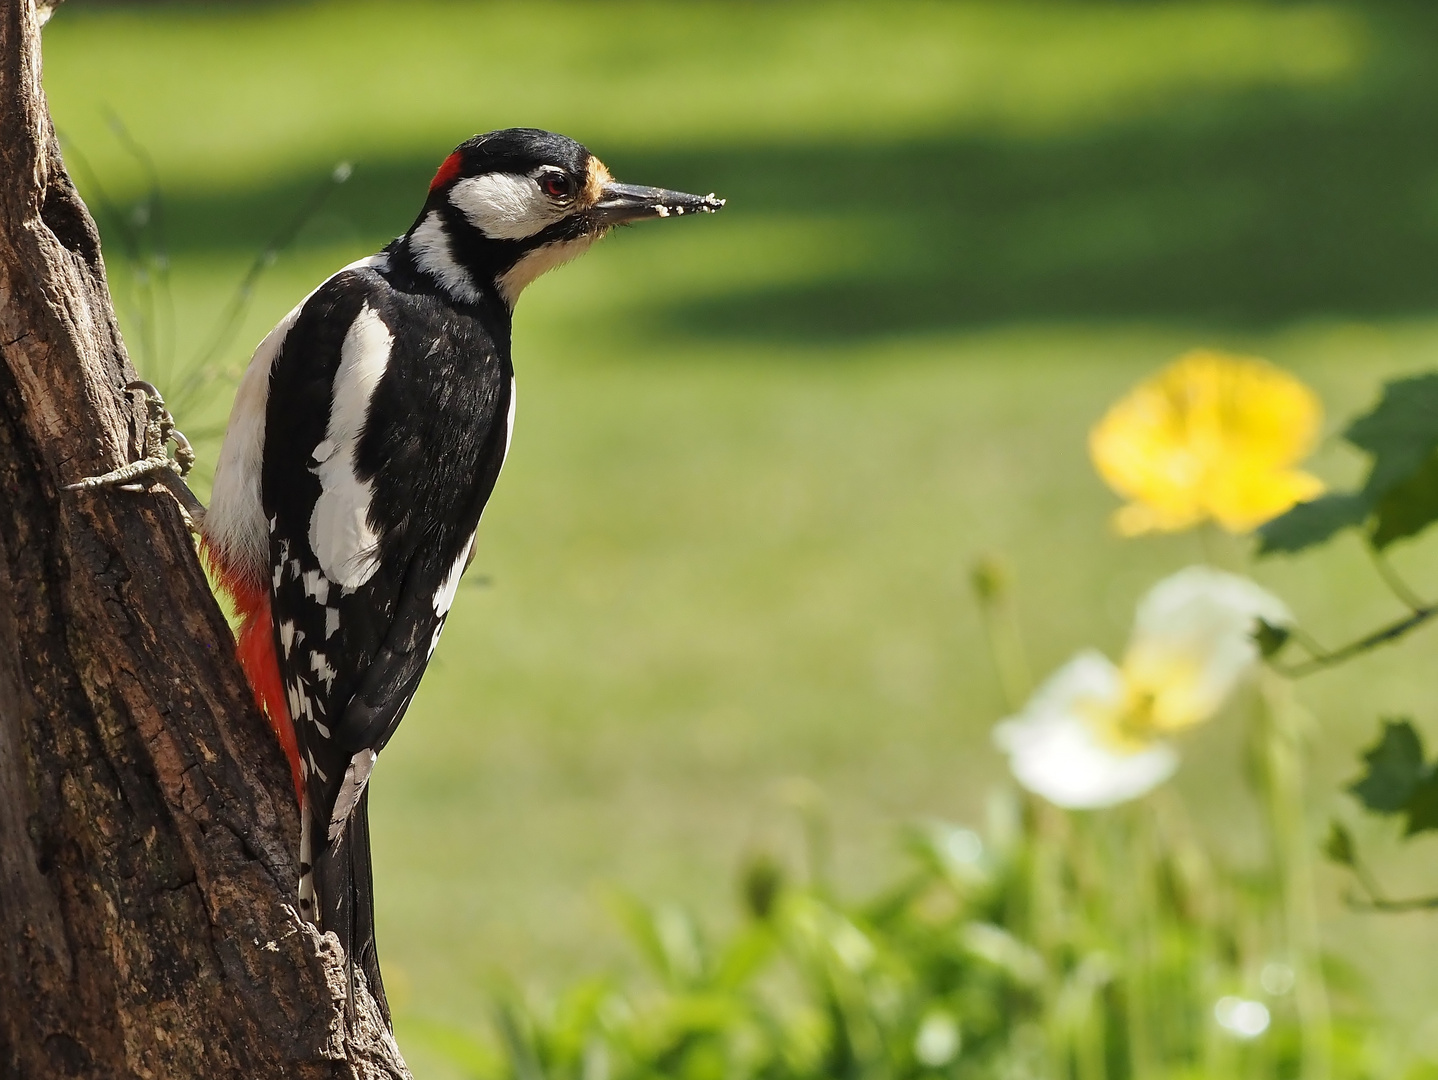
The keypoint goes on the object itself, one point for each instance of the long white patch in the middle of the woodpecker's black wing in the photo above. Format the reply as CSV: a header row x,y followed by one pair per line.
x,y
340,531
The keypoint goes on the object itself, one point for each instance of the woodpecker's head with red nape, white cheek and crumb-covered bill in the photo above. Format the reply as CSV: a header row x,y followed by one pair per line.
x,y
508,206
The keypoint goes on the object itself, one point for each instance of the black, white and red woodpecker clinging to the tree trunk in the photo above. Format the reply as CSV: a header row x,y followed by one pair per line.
x,y
366,438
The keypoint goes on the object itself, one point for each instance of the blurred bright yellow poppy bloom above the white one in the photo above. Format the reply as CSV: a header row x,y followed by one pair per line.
x,y
1212,436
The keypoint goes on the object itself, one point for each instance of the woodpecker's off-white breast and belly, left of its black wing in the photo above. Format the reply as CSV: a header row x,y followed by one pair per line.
x,y
235,524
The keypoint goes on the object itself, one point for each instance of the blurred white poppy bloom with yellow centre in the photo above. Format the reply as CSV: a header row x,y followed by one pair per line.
x,y
1094,734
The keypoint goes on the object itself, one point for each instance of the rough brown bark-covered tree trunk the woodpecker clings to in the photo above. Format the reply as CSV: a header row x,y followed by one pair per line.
x,y
147,826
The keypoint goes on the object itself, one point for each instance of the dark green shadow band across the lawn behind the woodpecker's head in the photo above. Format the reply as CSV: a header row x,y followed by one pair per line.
x,y
1239,212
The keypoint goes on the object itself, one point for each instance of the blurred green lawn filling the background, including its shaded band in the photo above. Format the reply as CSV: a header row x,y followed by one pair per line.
x,y
757,454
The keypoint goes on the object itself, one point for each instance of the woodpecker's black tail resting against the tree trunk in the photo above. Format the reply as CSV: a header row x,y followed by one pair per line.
x,y
344,884
